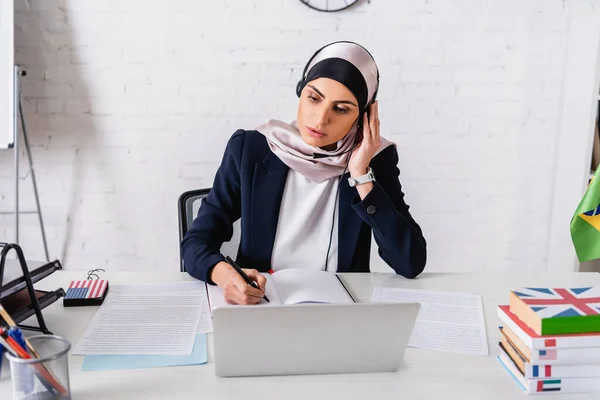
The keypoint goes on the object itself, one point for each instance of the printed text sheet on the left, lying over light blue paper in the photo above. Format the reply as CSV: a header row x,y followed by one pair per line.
x,y
146,319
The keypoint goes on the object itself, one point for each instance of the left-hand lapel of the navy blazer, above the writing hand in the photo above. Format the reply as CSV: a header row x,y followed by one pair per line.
x,y
268,184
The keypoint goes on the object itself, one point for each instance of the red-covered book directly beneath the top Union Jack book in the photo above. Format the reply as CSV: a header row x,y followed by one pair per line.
x,y
535,341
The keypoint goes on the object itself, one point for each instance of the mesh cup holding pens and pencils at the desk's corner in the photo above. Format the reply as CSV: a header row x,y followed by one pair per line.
x,y
46,377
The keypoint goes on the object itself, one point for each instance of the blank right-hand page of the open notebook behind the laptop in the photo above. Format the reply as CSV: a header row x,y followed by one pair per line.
x,y
309,286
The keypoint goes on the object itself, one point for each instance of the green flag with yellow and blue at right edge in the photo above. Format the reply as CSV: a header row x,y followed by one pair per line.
x,y
585,224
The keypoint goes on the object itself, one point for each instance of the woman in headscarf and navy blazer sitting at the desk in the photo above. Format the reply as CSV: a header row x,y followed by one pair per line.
x,y
309,193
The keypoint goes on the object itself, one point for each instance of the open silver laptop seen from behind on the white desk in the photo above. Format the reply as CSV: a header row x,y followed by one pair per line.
x,y
311,338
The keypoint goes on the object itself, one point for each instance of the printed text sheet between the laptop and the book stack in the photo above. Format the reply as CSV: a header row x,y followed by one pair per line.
x,y
447,321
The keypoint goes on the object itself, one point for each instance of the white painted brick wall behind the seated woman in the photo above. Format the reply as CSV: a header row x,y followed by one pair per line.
x,y
129,103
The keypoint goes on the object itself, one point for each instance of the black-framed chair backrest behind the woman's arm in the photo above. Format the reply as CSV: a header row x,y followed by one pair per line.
x,y
188,205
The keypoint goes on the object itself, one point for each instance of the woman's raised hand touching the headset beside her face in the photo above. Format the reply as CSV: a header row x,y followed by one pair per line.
x,y
362,155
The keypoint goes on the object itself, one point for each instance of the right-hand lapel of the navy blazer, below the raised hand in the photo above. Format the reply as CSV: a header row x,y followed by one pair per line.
x,y
348,225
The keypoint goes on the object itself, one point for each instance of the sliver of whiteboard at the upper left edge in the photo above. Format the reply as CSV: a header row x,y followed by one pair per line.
x,y
6,72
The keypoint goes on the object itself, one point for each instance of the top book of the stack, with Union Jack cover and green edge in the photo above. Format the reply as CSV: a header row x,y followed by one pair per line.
x,y
556,311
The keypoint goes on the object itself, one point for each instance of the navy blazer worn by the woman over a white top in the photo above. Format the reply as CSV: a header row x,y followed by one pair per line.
x,y
249,185
